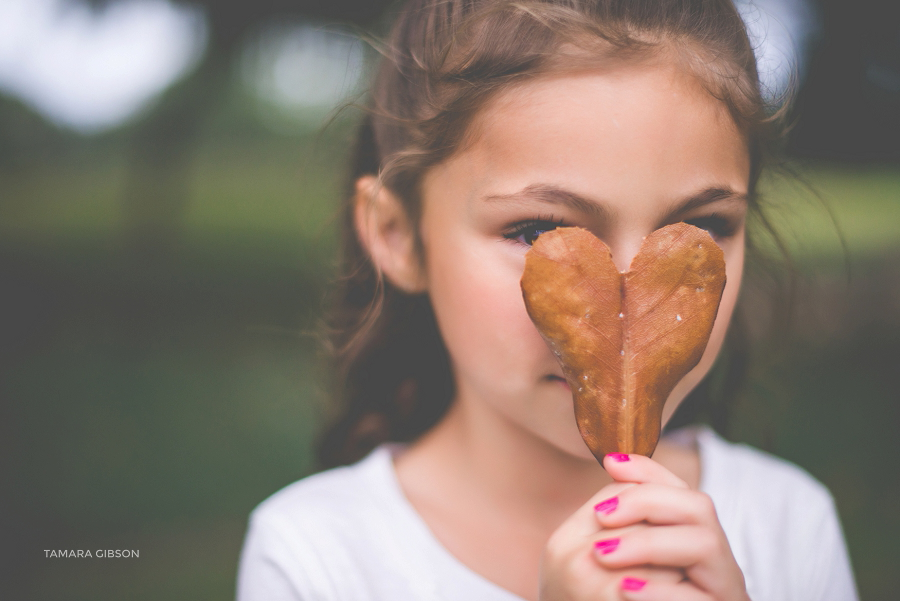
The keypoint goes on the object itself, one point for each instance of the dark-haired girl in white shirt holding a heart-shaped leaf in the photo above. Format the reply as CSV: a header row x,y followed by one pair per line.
x,y
491,122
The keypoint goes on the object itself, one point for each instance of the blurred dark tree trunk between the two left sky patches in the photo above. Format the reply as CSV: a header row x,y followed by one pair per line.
x,y
161,144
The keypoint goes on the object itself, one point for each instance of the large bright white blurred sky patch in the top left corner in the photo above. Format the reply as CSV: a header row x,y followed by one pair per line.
x,y
91,69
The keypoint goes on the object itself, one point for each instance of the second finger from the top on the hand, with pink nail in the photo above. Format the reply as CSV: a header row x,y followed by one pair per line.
x,y
656,504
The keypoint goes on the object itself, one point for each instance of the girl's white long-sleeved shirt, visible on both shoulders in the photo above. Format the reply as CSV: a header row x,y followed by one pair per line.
x,y
350,534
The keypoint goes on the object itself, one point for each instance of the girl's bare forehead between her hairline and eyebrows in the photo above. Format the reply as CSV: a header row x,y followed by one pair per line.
x,y
656,119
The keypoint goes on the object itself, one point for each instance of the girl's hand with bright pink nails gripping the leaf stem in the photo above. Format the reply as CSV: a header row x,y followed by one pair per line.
x,y
646,537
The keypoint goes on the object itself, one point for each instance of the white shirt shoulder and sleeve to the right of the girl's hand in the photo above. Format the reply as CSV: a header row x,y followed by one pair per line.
x,y
781,523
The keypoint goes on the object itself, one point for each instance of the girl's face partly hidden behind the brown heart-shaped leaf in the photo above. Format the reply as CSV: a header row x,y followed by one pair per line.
x,y
620,153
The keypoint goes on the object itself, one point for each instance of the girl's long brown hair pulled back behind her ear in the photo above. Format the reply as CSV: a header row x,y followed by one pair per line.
x,y
444,60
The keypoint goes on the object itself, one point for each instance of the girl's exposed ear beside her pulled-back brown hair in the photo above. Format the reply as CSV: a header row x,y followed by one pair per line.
x,y
385,231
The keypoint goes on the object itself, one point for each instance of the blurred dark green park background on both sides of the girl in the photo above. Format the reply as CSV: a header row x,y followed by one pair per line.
x,y
163,282
